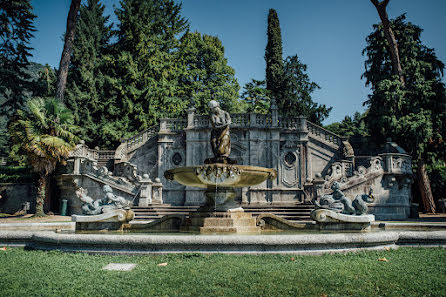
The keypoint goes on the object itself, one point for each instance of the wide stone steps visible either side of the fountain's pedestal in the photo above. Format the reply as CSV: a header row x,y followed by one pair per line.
x,y
293,212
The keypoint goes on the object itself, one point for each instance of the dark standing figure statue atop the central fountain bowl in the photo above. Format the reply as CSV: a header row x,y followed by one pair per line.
x,y
220,139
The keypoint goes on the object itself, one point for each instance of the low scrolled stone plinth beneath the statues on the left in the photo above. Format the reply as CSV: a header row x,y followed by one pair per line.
x,y
110,220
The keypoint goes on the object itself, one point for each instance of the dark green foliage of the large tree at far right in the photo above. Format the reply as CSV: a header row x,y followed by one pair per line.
x,y
417,111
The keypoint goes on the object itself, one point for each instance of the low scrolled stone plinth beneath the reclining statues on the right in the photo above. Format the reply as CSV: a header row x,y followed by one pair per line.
x,y
330,220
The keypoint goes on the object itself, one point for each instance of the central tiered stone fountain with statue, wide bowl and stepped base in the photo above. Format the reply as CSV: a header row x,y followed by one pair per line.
x,y
220,175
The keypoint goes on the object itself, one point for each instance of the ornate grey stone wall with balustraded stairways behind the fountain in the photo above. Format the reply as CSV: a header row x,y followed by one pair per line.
x,y
306,156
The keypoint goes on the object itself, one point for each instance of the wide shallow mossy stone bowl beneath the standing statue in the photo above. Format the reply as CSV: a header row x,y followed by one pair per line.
x,y
220,175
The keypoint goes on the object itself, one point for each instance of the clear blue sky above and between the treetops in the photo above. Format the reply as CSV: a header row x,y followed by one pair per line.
x,y
327,35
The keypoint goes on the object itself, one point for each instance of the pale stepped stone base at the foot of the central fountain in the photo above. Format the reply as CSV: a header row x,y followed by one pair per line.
x,y
223,222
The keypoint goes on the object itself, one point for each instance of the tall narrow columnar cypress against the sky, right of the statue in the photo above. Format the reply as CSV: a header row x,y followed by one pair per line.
x,y
273,56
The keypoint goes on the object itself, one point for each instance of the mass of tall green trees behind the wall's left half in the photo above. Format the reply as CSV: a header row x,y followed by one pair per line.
x,y
155,69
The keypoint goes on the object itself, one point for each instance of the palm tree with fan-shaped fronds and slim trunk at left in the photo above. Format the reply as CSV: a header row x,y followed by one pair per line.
x,y
44,132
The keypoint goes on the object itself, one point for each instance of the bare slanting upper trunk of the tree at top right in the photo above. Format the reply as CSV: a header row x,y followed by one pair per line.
x,y
388,32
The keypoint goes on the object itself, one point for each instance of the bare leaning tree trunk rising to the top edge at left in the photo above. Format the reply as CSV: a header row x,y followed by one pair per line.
x,y
68,46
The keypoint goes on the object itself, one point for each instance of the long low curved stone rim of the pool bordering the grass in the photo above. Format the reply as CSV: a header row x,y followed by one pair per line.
x,y
304,243
